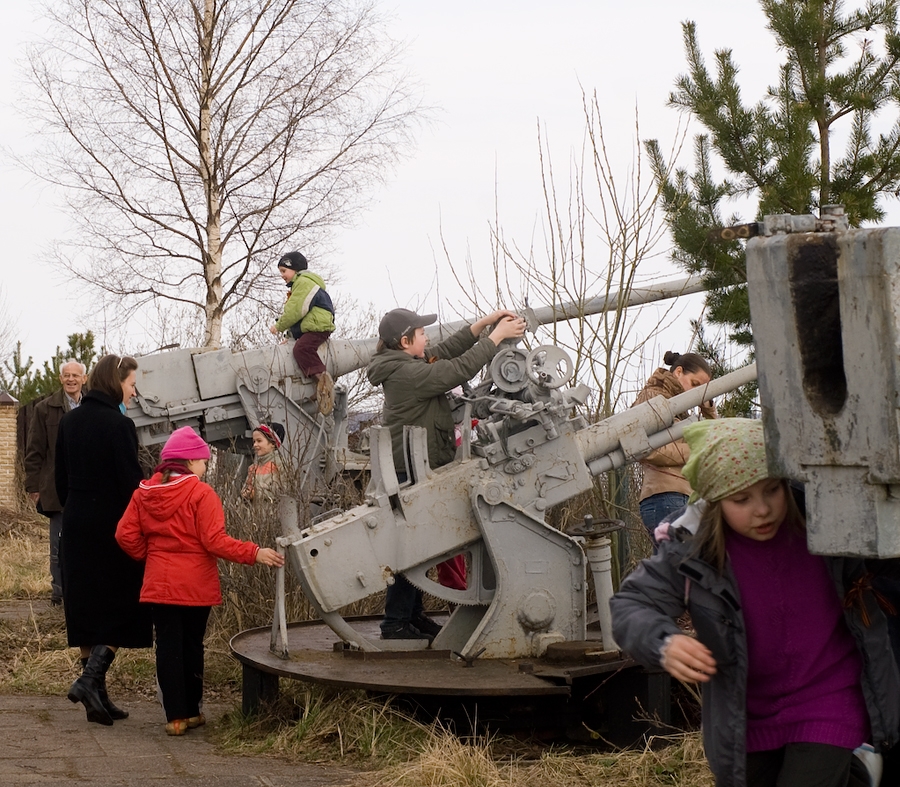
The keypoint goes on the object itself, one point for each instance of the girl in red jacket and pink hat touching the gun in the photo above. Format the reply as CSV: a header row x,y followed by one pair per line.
x,y
176,524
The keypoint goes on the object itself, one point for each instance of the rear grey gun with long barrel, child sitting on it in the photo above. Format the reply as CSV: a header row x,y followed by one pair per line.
x,y
224,394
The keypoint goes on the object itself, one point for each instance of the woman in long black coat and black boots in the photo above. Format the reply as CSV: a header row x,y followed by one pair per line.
x,y
97,470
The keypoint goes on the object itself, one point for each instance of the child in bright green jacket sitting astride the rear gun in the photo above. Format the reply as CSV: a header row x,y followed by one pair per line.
x,y
309,316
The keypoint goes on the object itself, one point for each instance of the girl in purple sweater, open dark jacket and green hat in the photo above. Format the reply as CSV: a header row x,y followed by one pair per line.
x,y
797,672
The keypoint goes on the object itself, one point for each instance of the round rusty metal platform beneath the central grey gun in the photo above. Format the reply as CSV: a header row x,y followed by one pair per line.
x,y
573,688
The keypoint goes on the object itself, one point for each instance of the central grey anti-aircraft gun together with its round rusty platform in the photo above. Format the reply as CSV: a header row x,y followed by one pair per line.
x,y
521,623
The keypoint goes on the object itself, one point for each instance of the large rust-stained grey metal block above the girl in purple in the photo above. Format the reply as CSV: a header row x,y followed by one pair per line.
x,y
825,308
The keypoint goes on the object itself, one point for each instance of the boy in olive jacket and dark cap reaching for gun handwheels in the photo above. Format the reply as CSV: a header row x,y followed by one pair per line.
x,y
416,381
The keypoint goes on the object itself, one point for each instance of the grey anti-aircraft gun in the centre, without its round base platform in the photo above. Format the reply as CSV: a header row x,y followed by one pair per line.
x,y
527,585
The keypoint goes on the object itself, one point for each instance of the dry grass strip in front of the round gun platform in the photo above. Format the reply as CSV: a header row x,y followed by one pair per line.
x,y
316,724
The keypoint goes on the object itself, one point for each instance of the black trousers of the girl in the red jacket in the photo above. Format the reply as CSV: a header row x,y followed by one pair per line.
x,y
179,657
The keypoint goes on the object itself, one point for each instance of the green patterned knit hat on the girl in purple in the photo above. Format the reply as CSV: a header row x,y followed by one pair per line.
x,y
727,455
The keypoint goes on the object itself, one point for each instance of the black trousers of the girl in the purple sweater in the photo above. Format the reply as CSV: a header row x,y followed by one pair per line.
x,y
806,765
